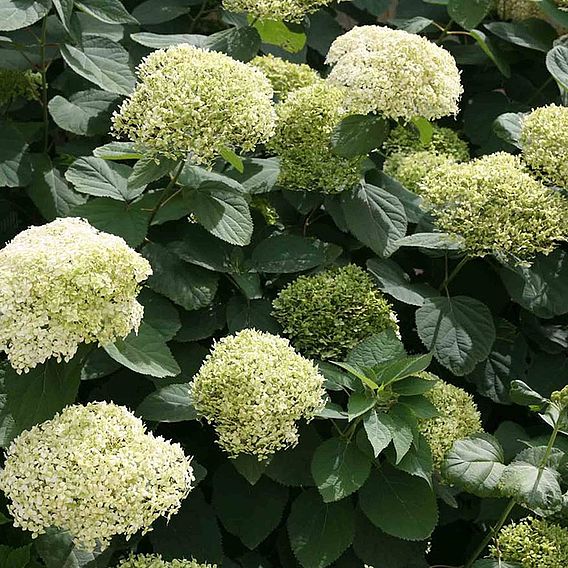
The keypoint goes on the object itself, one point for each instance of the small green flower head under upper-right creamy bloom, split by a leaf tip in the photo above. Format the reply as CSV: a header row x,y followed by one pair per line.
x,y
444,141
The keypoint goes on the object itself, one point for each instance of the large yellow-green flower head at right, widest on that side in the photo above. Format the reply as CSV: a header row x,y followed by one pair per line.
x,y
497,207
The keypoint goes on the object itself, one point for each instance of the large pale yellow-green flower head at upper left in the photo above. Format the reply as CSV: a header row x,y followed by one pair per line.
x,y
189,100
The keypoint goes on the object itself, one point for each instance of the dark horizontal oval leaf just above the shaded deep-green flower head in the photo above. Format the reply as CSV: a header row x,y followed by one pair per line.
x,y
284,254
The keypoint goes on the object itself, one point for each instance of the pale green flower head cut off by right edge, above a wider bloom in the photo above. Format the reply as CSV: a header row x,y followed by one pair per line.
x,y
544,138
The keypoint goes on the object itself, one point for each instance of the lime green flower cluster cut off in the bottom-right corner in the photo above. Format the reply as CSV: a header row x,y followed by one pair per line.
x,y
532,543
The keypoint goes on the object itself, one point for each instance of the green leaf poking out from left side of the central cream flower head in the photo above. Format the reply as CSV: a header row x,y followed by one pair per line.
x,y
168,404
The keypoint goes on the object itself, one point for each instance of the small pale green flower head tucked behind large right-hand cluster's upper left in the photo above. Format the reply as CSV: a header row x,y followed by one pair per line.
x,y
411,168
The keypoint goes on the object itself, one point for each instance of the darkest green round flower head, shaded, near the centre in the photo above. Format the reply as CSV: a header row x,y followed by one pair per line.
x,y
327,314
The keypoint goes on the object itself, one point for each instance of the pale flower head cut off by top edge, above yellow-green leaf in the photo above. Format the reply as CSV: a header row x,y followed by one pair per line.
x,y
287,10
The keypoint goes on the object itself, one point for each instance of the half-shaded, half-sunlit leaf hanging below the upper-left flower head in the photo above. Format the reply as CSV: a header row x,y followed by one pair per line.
x,y
223,213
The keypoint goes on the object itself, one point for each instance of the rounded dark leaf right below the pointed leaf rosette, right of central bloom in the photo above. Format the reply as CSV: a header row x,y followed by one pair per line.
x,y
339,469
